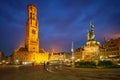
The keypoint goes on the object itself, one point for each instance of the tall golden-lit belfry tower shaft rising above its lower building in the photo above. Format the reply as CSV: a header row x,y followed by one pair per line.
x,y
32,39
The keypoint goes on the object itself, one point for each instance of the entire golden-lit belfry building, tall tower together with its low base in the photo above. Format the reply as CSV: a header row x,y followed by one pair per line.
x,y
31,51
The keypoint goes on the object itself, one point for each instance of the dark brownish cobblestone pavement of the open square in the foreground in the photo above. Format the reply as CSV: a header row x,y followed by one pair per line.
x,y
56,73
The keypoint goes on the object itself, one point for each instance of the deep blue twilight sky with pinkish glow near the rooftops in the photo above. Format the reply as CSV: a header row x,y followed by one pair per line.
x,y
60,22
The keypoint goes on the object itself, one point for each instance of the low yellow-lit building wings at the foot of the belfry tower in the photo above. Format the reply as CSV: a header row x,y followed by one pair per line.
x,y
25,56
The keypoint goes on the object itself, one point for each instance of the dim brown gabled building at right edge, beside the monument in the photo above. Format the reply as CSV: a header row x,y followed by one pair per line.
x,y
111,50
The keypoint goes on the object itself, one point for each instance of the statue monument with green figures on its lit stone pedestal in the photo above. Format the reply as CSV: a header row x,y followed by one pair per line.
x,y
91,49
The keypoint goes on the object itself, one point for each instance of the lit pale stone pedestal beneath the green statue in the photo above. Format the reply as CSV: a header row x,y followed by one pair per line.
x,y
91,51
